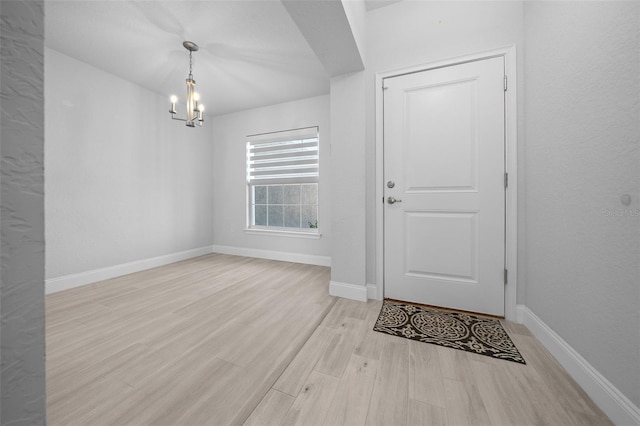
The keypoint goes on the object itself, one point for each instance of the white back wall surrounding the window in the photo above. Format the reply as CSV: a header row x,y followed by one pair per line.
x,y
229,169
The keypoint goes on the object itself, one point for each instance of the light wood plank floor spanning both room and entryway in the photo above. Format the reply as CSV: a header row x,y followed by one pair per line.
x,y
230,340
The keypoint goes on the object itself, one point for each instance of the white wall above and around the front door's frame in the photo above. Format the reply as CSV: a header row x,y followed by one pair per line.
x,y
411,33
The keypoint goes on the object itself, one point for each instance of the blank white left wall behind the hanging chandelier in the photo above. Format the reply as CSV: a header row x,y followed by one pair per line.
x,y
123,181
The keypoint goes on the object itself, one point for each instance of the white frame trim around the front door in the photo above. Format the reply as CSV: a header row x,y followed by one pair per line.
x,y
511,163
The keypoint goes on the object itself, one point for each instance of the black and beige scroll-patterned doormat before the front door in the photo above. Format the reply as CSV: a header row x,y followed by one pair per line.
x,y
484,336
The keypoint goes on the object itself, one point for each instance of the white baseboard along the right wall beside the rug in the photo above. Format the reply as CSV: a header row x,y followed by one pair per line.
x,y
616,405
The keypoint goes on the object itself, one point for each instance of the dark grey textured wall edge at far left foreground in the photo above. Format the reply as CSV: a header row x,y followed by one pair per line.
x,y
22,364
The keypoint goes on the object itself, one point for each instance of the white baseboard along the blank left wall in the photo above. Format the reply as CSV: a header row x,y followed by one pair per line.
x,y
66,282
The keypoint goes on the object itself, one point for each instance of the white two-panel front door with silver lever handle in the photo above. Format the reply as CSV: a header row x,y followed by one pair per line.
x,y
444,237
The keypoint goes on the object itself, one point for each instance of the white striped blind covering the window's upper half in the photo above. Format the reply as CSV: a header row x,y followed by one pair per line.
x,y
283,157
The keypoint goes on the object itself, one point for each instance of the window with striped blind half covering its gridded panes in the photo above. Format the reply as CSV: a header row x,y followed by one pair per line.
x,y
282,178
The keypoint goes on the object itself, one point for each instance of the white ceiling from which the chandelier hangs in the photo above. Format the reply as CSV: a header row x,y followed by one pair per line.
x,y
251,52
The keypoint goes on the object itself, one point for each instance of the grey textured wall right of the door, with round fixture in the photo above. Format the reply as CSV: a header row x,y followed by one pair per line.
x,y
582,94
